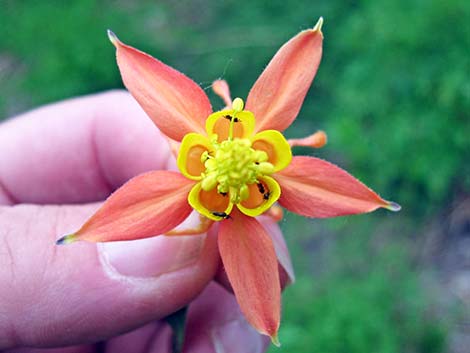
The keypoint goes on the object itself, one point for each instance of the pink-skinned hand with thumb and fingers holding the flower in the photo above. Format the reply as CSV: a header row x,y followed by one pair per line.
x,y
57,163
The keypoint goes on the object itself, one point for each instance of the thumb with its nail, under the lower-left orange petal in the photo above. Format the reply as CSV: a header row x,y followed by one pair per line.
x,y
61,295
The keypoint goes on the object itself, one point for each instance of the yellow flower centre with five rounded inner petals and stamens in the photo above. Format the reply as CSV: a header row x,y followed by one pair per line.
x,y
233,166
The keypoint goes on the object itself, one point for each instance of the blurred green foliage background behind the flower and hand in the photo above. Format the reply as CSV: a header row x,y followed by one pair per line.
x,y
393,94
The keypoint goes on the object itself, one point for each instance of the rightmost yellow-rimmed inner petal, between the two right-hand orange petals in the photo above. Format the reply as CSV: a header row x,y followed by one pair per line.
x,y
276,147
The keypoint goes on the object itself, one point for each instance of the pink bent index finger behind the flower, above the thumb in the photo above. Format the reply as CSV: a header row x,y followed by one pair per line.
x,y
78,150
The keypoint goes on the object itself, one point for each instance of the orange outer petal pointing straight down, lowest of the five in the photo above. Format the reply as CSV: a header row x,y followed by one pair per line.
x,y
251,265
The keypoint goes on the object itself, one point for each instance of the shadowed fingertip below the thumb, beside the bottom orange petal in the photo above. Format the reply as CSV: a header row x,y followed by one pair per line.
x,y
216,324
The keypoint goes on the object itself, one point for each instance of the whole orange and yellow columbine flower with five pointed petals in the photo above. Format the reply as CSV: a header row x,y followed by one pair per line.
x,y
235,164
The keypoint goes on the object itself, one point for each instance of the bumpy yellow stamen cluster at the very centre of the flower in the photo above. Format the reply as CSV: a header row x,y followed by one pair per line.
x,y
232,166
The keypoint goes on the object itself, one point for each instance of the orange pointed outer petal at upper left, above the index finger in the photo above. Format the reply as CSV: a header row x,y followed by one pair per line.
x,y
174,102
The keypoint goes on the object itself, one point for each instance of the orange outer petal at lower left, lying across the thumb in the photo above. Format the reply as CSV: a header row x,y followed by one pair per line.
x,y
147,205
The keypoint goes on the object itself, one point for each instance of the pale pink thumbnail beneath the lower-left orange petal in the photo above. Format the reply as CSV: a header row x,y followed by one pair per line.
x,y
151,257
